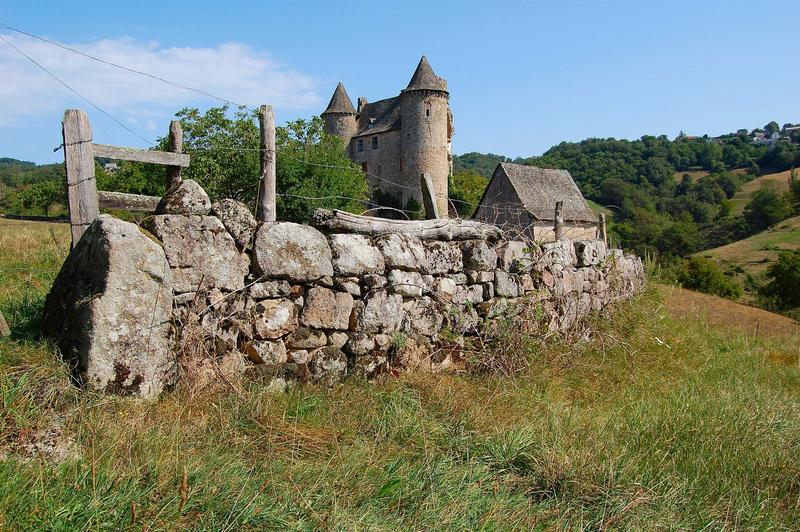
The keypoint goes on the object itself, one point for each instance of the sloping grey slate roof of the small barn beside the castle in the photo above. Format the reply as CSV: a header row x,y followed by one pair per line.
x,y
540,188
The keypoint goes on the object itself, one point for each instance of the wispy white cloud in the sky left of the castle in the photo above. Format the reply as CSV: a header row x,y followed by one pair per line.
x,y
231,71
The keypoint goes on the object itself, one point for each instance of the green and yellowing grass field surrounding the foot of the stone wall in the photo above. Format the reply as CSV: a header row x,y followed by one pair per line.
x,y
661,419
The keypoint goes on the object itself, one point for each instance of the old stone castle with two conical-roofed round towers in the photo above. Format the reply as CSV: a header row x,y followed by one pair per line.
x,y
397,139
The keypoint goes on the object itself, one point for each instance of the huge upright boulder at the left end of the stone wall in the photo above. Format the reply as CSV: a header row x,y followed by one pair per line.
x,y
109,310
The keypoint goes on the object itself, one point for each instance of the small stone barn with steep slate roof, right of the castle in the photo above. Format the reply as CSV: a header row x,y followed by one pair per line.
x,y
524,198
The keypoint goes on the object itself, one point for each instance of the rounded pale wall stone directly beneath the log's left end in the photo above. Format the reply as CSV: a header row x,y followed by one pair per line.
x,y
285,250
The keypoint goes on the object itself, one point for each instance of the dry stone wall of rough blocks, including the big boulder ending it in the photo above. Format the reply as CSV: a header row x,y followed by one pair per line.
x,y
287,299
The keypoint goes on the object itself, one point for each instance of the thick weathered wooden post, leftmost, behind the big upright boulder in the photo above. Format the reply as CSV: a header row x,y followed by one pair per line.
x,y
79,165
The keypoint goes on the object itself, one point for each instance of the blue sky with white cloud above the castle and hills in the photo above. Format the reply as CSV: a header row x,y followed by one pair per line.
x,y
523,75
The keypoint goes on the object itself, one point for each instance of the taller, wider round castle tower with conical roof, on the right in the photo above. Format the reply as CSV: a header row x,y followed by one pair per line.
x,y
426,129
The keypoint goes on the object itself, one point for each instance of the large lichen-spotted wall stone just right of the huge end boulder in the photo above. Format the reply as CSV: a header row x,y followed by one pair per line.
x,y
199,249
